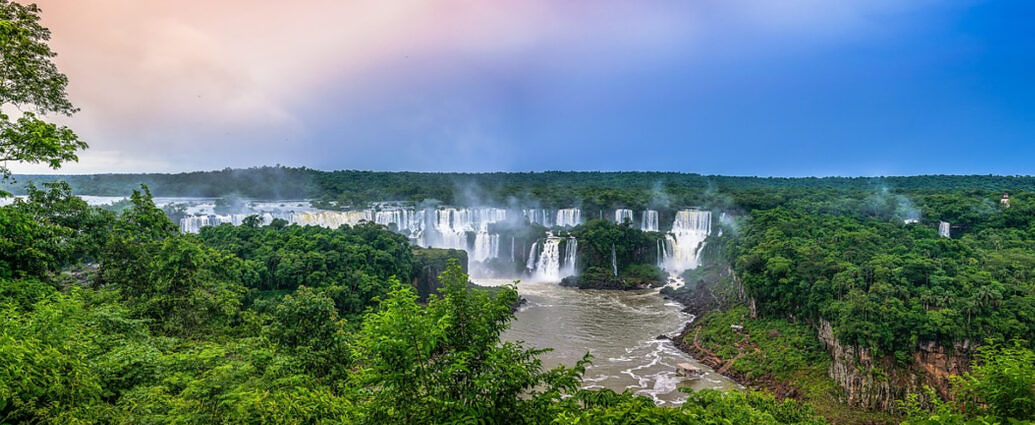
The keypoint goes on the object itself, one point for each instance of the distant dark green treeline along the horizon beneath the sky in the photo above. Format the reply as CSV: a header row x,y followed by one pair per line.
x,y
551,190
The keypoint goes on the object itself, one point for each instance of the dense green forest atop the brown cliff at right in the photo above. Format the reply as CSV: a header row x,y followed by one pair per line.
x,y
889,286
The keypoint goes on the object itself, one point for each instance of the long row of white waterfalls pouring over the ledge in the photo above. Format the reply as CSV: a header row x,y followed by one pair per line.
x,y
478,232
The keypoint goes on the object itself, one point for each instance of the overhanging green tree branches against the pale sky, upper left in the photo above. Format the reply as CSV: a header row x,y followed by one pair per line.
x,y
31,81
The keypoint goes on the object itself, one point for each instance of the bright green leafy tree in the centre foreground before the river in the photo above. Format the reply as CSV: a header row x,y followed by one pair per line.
x,y
447,365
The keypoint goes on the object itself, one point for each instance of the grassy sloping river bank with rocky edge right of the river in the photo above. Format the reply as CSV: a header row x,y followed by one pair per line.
x,y
777,356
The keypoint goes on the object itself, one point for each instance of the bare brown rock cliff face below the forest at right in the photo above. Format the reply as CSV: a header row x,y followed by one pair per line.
x,y
878,383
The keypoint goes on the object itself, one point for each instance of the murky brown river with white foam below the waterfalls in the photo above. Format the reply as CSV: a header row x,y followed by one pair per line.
x,y
619,328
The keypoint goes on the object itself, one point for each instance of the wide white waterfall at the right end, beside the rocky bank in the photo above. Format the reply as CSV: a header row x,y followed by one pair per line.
x,y
685,242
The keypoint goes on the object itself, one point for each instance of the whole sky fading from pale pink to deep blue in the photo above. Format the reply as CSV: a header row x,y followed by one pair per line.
x,y
732,87
